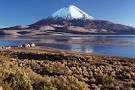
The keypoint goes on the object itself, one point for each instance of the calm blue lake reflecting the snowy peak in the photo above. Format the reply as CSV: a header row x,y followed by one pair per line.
x,y
120,45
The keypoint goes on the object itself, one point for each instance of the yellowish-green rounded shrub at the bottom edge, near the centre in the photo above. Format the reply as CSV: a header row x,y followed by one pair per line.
x,y
69,83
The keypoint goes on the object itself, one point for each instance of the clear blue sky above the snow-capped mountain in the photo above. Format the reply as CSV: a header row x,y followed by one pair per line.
x,y
23,12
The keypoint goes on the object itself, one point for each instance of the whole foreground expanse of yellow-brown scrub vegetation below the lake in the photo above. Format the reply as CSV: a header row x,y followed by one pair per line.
x,y
46,69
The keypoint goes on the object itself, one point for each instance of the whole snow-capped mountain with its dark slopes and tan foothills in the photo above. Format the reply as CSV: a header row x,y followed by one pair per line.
x,y
71,20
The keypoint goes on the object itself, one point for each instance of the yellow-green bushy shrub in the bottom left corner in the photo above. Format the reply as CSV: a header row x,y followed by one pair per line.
x,y
18,81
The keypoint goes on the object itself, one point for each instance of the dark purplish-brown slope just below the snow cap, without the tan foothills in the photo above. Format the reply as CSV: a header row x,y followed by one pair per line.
x,y
97,25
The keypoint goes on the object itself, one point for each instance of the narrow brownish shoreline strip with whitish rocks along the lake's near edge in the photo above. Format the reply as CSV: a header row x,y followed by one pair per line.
x,y
33,45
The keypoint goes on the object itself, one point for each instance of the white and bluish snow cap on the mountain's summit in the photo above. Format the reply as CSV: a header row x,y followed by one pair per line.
x,y
71,12
